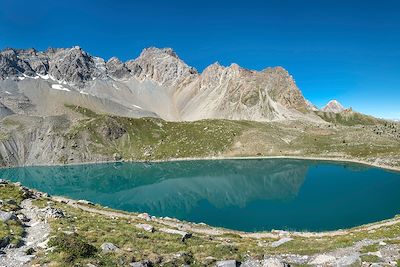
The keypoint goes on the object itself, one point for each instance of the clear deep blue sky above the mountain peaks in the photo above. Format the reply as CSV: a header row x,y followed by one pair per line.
x,y
347,50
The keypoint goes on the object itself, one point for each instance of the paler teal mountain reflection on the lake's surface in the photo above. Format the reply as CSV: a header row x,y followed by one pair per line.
x,y
159,187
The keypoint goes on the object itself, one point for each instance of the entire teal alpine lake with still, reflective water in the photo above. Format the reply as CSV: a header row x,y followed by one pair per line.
x,y
248,195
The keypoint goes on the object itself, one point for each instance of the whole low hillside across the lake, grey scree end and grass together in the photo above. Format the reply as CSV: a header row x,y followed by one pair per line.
x,y
97,137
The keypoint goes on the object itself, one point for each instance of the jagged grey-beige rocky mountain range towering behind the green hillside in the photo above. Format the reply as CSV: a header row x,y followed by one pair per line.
x,y
157,82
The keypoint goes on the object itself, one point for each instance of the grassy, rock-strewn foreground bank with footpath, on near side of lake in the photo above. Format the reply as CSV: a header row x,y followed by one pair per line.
x,y
38,230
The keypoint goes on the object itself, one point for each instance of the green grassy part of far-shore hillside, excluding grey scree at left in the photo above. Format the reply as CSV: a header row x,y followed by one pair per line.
x,y
153,139
